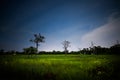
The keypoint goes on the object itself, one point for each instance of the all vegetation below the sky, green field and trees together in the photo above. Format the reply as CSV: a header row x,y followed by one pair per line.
x,y
94,63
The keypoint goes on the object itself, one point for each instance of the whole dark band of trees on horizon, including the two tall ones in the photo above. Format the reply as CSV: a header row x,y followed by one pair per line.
x,y
96,50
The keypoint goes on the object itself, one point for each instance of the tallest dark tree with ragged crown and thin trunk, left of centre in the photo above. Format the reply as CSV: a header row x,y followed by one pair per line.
x,y
38,39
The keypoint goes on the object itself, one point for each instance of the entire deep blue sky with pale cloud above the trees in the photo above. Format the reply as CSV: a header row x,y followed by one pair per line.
x,y
78,21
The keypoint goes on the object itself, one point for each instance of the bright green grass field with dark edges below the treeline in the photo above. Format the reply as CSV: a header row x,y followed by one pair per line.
x,y
59,67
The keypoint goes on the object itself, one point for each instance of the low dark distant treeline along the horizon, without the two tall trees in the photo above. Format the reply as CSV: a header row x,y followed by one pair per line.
x,y
115,49
